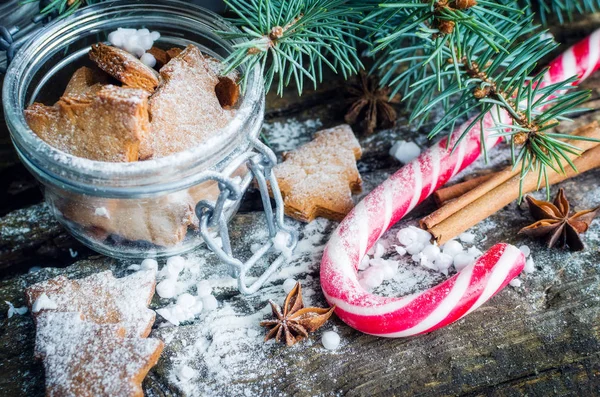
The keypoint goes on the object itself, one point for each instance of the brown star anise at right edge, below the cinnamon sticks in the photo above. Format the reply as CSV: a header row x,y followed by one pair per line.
x,y
554,222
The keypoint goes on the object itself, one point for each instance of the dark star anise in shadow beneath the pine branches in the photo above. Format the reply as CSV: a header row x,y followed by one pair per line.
x,y
369,103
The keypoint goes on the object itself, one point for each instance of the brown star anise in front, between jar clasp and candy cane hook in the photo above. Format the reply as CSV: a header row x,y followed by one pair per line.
x,y
296,321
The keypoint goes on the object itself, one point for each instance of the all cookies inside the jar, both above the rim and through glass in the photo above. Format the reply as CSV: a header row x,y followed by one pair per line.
x,y
133,99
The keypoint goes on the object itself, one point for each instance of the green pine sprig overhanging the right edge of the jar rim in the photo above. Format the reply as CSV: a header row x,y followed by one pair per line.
x,y
291,39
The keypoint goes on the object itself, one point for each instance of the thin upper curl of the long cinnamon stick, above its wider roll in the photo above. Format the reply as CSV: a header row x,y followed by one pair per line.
x,y
591,130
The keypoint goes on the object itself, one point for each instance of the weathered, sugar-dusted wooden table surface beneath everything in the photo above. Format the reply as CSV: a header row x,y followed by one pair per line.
x,y
540,339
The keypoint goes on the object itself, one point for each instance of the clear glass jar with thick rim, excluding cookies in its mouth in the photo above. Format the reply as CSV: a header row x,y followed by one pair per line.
x,y
140,209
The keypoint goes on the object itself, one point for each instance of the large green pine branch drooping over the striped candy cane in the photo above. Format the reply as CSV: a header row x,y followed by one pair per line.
x,y
468,70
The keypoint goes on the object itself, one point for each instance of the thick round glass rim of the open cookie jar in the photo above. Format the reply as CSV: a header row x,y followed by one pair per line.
x,y
43,157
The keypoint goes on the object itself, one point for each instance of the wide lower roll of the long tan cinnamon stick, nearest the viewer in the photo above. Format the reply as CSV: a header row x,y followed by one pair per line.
x,y
504,194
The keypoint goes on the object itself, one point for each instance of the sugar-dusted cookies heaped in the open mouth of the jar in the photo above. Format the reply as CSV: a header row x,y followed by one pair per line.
x,y
121,110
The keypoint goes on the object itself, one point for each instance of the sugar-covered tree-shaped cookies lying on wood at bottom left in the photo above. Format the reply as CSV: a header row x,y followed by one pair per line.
x,y
92,333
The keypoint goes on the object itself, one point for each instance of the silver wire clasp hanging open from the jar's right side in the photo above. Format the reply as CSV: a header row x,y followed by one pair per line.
x,y
212,216
